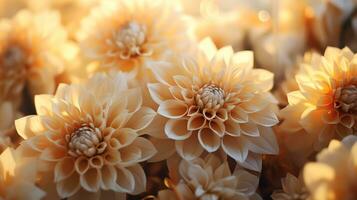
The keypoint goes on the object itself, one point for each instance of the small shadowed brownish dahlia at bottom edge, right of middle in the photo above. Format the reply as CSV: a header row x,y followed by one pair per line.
x,y
293,188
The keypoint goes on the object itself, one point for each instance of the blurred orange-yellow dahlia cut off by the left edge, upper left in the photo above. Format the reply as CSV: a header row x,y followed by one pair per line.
x,y
33,50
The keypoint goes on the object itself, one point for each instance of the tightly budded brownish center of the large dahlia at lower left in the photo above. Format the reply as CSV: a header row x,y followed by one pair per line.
x,y
86,141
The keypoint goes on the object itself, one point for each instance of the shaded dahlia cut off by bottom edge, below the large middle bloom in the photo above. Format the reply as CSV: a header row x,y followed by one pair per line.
x,y
210,179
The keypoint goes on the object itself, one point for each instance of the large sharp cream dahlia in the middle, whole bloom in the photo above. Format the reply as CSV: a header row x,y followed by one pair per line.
x,y
215,100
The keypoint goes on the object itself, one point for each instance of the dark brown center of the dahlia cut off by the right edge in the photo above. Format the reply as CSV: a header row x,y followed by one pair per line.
x,y
346,99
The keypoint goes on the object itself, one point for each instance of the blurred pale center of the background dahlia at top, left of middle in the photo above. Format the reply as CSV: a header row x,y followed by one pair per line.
x,y
130,40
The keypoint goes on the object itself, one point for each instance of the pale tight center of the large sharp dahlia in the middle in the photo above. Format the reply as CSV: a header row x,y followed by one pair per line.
x,y
210,96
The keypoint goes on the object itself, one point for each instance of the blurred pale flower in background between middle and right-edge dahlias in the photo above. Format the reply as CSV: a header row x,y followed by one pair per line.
x,y
280,36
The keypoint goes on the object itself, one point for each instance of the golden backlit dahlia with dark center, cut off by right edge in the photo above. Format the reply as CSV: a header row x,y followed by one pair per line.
x,y
324,106
